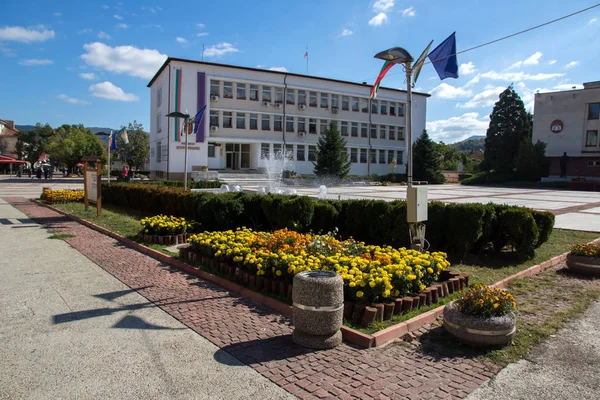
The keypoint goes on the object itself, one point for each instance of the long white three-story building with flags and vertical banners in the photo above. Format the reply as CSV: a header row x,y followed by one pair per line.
x,y
253,114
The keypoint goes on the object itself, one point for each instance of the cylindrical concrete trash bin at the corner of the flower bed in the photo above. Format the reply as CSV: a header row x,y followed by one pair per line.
x,y
318,308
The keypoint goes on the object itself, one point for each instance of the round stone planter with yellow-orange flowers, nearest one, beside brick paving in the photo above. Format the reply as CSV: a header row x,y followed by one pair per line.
x,y
483,316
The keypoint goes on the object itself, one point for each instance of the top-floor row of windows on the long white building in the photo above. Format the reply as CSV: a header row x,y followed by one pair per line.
x,y
274,94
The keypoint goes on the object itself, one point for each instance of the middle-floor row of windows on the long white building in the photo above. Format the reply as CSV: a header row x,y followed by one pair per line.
x,y
303,125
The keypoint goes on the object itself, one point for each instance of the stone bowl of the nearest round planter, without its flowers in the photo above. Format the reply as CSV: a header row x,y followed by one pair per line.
x,y
478,331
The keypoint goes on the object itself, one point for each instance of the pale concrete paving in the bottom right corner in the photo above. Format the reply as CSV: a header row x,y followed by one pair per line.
x,y
564,367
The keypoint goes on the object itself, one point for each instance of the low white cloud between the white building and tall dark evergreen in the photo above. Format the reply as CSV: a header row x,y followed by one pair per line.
x,y
457,128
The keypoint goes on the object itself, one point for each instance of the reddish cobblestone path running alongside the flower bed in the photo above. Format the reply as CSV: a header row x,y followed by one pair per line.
x,y
261,338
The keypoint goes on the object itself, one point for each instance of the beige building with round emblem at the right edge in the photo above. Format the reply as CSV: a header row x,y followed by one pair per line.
x,y
568,122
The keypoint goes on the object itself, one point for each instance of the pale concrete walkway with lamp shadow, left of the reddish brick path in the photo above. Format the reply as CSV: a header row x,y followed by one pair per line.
x,y
68,329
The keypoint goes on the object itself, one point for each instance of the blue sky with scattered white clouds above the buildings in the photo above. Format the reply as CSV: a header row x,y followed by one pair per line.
x,y
90,61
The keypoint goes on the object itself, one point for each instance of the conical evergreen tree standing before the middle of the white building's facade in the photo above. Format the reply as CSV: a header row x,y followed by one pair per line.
x,y
332,160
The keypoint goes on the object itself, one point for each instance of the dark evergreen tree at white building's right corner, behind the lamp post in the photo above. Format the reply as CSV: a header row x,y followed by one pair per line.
x,y
426,160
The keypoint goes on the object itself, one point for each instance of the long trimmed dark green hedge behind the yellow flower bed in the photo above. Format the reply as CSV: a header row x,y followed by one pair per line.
x,y
458,229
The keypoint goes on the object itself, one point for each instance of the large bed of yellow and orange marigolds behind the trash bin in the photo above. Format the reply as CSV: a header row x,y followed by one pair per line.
x,y
373,275
